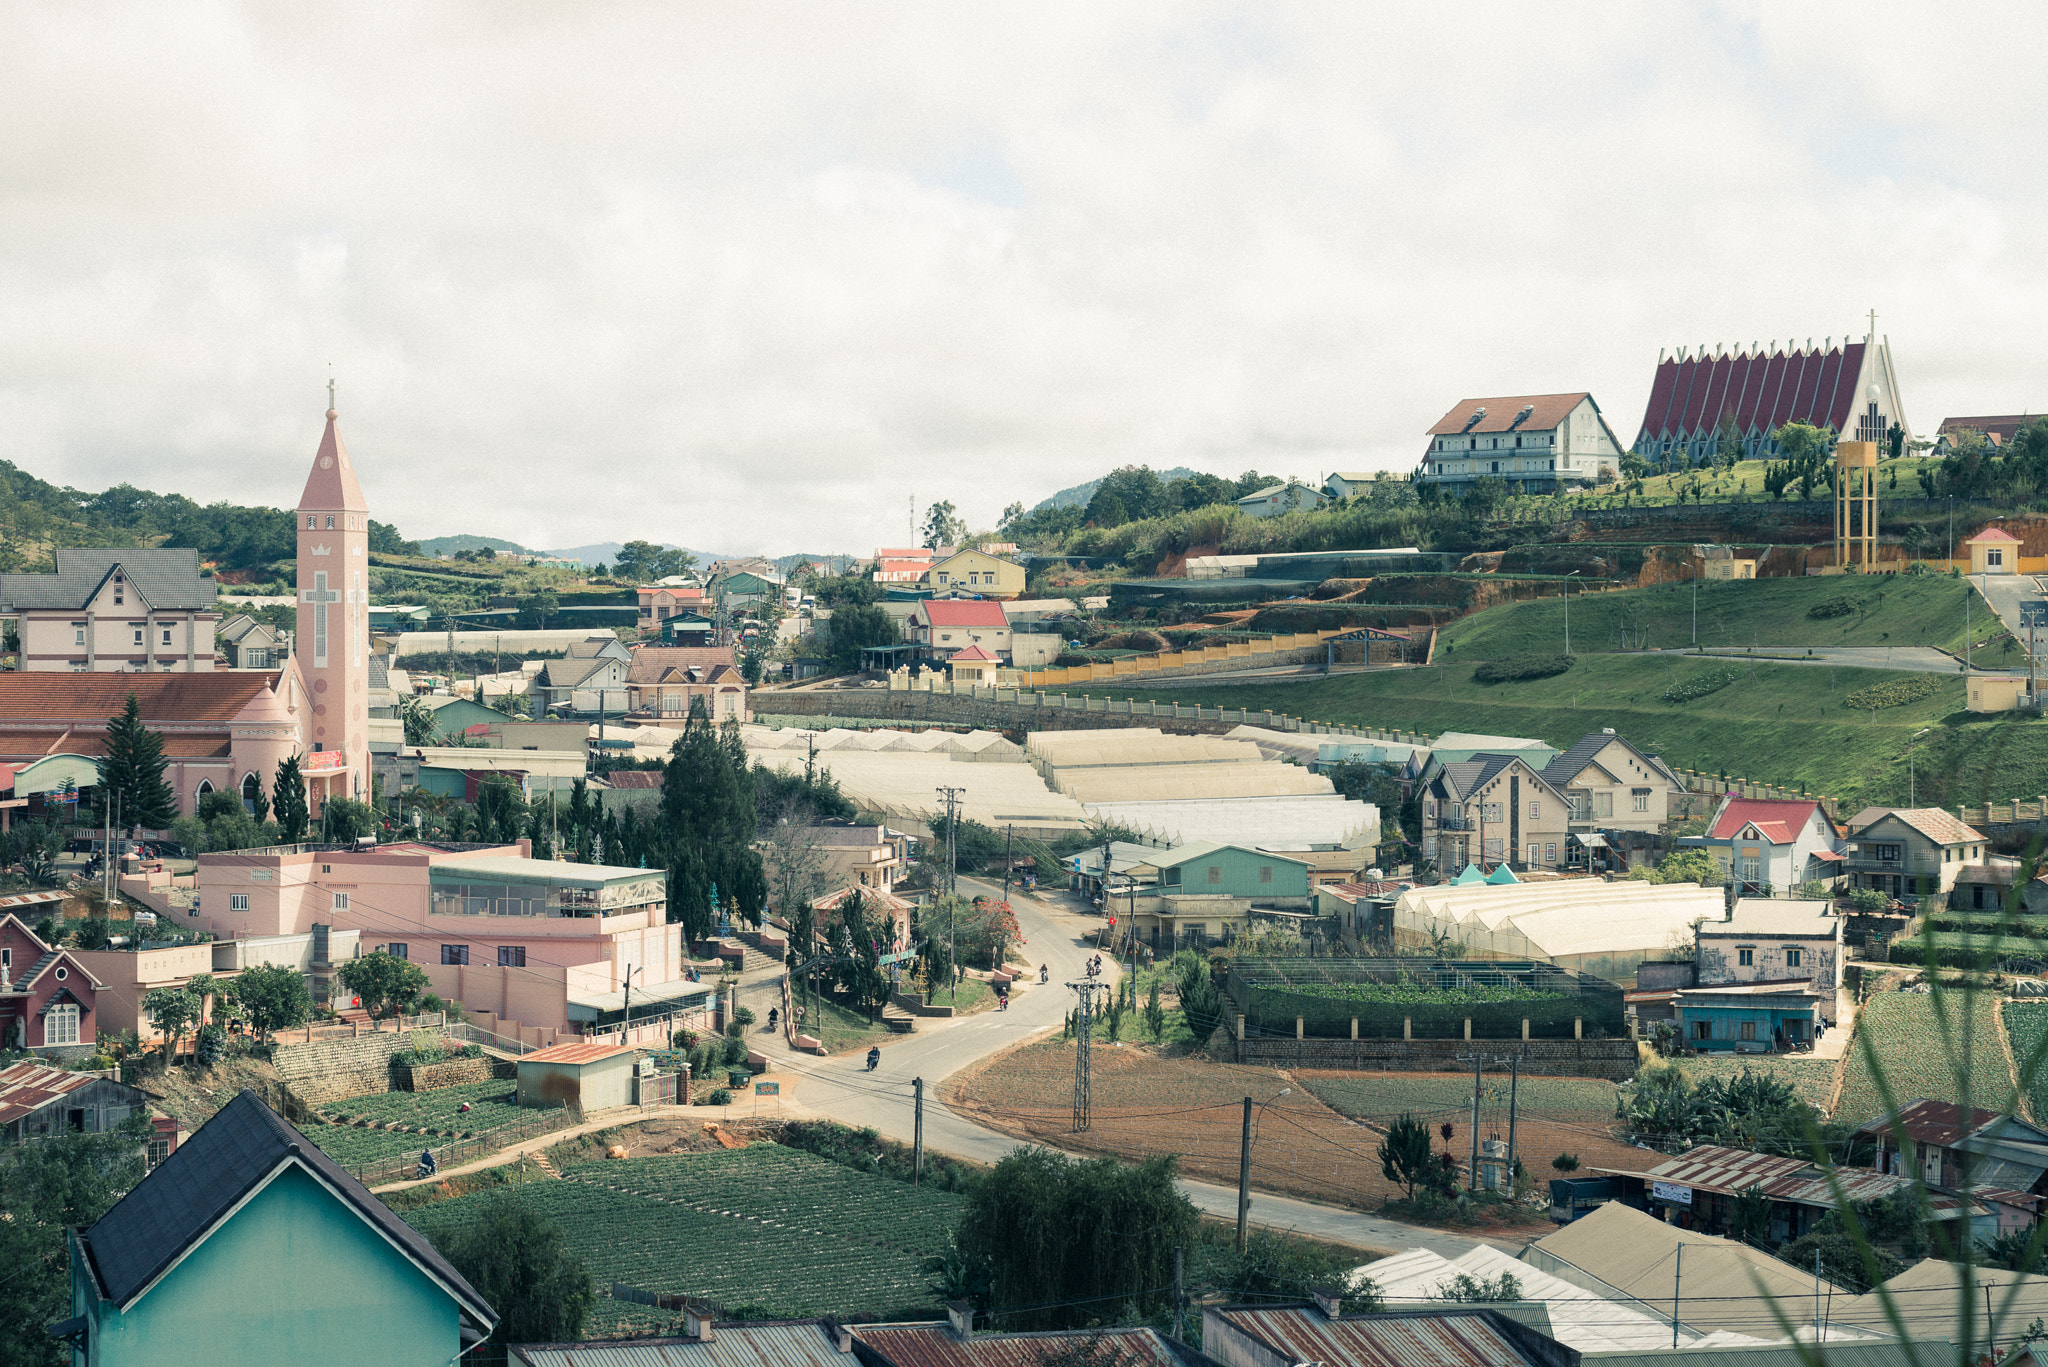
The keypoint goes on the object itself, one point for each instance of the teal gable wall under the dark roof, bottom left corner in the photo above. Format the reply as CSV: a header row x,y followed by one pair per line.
x,y
292,1278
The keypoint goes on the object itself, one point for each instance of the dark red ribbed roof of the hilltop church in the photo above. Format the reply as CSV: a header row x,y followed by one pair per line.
x,y
1762,392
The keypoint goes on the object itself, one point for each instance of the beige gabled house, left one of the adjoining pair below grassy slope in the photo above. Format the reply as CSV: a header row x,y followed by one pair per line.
x,y
1494,809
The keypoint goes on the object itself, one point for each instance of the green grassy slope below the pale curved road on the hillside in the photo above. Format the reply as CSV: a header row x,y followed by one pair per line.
x,y
1768,722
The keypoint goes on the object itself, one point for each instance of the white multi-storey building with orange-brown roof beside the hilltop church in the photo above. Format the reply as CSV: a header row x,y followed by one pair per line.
x,y
1537,442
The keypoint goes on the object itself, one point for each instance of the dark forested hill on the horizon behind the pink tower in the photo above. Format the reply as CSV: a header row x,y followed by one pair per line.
x,y
38,517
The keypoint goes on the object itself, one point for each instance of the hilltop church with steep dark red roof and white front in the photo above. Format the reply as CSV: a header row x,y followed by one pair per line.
x,y
1752,392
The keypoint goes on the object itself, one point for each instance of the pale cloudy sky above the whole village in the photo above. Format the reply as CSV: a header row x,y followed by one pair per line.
x,y
753,278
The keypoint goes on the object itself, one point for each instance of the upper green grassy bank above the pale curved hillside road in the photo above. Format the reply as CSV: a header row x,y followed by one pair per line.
x,y
1887,610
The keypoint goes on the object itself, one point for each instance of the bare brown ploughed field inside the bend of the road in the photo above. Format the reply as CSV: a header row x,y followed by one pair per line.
x,y
1146,1106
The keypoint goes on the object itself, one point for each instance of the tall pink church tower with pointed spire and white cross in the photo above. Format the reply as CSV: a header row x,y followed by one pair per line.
x,y
333,647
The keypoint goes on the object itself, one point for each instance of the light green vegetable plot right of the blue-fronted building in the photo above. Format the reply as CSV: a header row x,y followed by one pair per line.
x,y
1920,1061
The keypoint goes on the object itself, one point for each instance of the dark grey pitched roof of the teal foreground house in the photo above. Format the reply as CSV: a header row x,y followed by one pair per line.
x,y
208,1177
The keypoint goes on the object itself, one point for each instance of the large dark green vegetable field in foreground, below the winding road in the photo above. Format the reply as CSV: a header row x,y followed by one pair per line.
x,y
759,1227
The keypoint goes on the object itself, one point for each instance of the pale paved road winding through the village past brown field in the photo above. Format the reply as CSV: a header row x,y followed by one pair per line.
x,y
845,1091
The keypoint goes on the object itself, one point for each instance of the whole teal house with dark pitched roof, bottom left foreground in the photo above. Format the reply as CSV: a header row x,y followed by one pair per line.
x,y
249,1245
